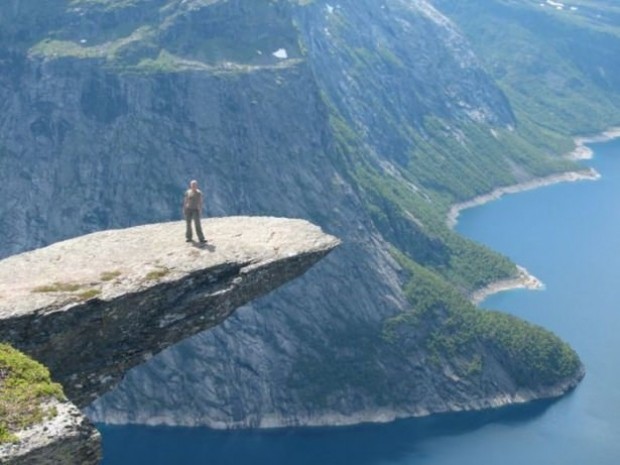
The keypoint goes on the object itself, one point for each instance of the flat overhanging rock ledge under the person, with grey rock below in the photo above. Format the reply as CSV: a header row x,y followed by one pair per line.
x,y
93,307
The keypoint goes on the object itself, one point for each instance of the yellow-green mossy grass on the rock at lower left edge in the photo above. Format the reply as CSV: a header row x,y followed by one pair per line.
x,y
24,387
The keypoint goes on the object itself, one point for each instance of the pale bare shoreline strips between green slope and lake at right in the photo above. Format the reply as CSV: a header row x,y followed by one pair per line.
x,y
525,280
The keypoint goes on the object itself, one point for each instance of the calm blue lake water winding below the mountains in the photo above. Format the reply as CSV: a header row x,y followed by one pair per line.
x,y
568,235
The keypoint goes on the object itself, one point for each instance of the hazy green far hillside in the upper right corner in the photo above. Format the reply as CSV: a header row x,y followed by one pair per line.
x,y
556,67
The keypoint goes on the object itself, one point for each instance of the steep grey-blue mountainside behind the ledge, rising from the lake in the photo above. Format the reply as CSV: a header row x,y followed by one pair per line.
x,y
368,118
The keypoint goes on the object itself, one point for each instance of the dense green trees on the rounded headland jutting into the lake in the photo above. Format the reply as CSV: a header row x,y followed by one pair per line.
x,y
449,326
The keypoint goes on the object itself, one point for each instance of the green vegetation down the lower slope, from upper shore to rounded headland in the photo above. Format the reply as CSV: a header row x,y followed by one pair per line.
x,y
447,165
